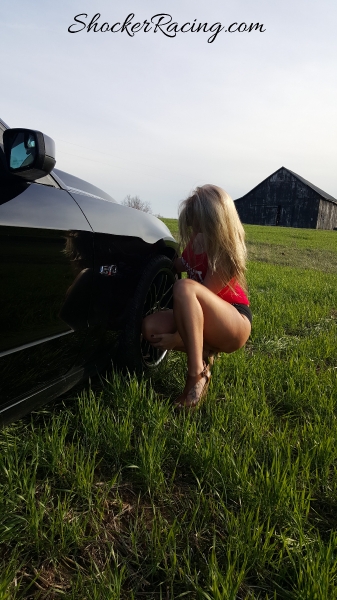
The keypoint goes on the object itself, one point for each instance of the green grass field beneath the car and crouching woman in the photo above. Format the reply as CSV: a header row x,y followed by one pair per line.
x,y
111,495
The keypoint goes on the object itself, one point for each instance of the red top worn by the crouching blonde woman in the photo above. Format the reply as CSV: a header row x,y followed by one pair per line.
x,y
197,267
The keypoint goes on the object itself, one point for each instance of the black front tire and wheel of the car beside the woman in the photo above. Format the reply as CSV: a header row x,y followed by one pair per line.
x,y
153,293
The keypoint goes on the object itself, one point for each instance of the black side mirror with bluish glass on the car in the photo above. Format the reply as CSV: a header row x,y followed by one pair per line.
x,y
29,154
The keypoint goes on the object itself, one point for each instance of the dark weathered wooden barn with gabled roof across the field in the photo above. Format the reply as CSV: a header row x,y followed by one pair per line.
x,y
288,200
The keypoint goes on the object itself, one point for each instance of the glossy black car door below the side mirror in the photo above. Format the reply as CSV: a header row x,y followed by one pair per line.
x,y
46,250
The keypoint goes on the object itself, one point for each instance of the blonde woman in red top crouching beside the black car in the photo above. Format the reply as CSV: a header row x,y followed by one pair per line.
x,y
211,311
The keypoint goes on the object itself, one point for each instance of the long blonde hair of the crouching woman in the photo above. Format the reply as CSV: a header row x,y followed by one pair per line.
x,y
211,211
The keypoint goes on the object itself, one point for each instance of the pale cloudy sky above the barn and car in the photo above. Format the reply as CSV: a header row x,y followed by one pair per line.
x,y
155,116
